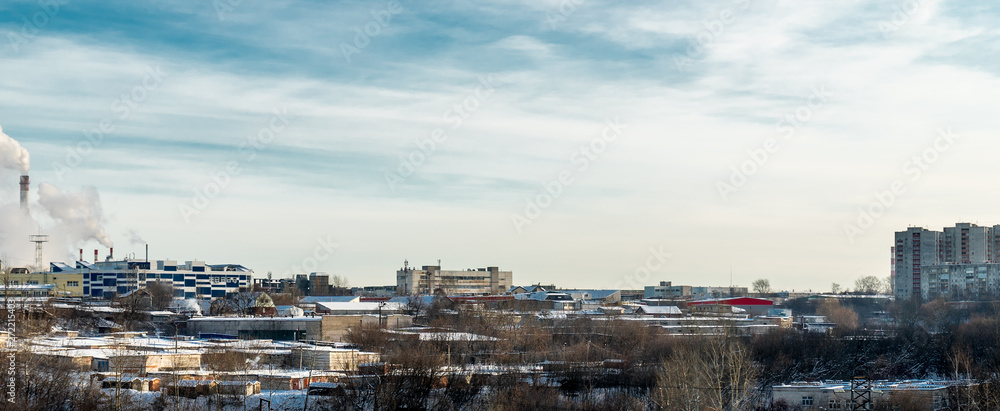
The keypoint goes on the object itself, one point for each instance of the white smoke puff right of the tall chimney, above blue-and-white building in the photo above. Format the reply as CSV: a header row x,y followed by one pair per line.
x,y
79,215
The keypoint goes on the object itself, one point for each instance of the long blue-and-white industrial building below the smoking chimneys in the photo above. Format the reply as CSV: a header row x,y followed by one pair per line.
x,y
190,280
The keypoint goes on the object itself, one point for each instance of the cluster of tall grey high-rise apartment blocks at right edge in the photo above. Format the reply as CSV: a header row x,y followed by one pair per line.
x,y
958,262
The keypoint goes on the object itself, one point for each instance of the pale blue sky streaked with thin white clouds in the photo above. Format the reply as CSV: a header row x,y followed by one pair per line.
x,y
583,143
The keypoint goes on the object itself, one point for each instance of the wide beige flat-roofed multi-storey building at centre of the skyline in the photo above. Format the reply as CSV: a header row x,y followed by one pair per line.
x,y
427,279
